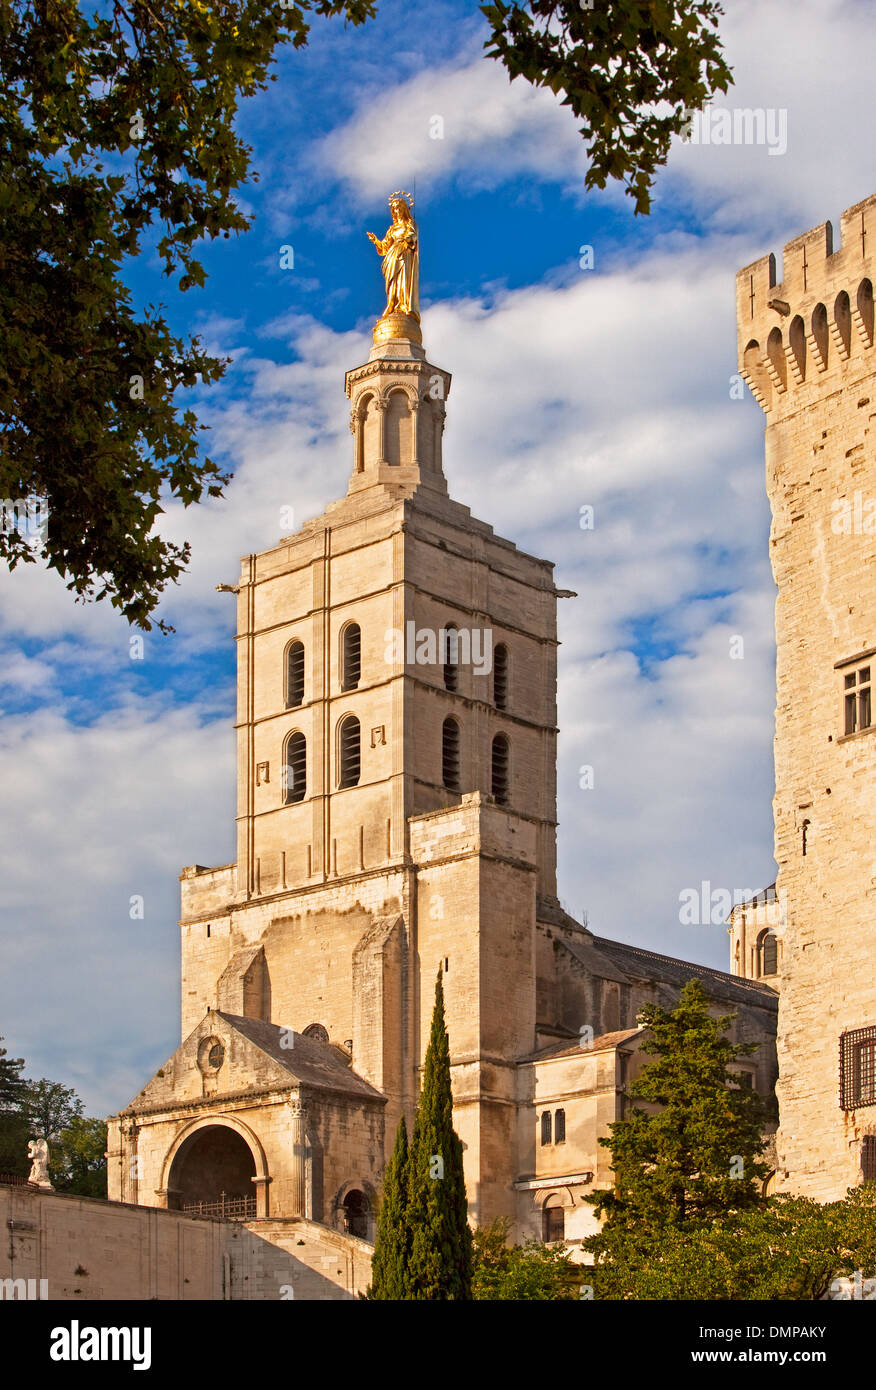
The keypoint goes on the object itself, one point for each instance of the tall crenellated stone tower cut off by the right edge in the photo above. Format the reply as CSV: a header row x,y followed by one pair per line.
x,y
806,348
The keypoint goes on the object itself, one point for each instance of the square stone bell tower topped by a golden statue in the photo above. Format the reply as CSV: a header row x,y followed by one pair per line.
x,y
397,806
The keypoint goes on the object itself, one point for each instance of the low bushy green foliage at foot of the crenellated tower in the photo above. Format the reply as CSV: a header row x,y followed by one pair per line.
x,y
790,1249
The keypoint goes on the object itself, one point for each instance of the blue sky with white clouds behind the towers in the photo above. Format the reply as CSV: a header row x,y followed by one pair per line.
x,y
608,387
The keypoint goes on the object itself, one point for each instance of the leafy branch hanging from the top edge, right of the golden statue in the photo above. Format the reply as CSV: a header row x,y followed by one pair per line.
x,y
632,72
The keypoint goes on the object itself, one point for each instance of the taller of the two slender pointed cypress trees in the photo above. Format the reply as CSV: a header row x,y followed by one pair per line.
x,y
440,1260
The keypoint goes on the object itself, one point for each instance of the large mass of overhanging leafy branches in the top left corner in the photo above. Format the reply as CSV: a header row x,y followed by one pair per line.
x,y
117,120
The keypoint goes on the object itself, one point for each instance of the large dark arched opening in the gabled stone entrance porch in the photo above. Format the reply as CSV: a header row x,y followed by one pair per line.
x,y
212,1175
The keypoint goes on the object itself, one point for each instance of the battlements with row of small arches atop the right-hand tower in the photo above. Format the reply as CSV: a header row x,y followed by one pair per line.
x,y
800,313
